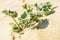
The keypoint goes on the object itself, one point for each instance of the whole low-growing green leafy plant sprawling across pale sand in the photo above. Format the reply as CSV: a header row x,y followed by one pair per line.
x,y
32,14
